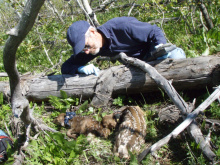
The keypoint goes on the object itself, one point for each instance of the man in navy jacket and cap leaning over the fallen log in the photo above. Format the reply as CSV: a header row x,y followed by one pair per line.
x,y
121,34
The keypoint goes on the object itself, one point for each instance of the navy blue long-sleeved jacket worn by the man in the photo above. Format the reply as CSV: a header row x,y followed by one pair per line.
x,y
124,34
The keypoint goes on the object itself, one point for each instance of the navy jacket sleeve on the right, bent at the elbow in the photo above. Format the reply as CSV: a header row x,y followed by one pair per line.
x,y
145,32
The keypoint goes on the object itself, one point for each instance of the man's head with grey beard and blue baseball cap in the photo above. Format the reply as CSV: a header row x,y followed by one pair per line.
x,y
83,37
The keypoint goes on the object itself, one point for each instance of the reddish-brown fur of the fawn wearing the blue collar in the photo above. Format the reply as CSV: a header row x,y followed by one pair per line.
x,y
86,125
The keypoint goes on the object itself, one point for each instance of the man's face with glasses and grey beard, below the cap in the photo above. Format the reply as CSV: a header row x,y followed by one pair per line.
x,y
92,44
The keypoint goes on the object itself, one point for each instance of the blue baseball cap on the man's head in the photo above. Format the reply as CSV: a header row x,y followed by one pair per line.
x,y
76,35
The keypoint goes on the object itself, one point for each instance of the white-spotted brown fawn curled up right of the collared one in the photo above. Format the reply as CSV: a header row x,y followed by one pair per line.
x,y
132,132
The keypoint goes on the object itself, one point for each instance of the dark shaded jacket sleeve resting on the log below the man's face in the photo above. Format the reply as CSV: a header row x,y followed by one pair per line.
x,y
71,65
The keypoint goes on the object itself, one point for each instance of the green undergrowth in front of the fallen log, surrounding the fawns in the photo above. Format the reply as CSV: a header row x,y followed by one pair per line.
x,y
57,148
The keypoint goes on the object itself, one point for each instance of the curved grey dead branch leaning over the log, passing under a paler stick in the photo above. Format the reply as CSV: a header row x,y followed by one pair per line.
x,y
174,96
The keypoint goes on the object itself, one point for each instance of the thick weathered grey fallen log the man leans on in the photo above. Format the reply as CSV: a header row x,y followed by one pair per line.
x,y
186,74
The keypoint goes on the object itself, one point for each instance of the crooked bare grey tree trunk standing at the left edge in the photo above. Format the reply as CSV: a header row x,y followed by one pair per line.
x,y
19,102
